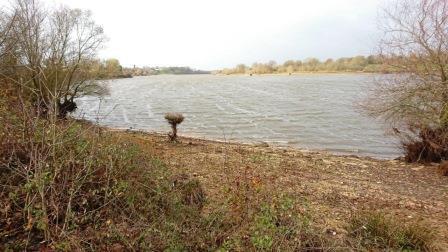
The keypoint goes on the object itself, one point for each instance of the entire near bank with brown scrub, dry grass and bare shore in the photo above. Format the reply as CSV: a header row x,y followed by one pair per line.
x,y
69,185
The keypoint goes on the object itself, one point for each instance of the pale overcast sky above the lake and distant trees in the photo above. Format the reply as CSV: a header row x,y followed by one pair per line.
x,y
211,34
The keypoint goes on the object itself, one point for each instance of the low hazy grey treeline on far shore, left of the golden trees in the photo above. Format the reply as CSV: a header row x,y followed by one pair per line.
x,y
144,71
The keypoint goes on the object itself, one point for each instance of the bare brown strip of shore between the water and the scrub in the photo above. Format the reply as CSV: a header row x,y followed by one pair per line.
x,y
335,186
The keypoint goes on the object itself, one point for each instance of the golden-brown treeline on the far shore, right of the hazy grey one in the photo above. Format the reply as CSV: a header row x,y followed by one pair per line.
x,y
370,64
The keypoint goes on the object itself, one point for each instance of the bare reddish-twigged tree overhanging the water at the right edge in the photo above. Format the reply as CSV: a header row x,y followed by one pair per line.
x,y
415,98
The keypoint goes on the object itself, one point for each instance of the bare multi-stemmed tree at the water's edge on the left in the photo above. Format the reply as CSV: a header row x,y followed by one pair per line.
x,y
54,49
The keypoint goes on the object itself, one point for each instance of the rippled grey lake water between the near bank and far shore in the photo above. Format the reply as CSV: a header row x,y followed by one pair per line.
x,y
314,112
